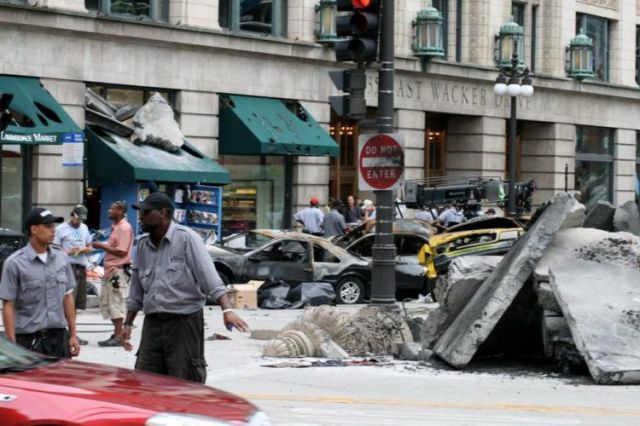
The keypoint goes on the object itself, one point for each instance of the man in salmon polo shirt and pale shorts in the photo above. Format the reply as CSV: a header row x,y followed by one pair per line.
x,y
115,281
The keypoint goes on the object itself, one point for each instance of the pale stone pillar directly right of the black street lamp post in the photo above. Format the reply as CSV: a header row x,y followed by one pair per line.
x,y
545,149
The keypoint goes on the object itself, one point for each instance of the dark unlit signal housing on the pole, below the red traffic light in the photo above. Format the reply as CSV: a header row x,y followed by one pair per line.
x,y
353,104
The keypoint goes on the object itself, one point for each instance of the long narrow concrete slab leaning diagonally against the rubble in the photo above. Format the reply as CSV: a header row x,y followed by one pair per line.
x,y
470,329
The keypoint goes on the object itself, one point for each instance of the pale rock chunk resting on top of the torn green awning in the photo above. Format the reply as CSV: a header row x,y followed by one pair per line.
x,y
154,124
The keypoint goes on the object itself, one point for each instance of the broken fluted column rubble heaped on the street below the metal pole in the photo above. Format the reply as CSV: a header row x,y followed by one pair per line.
x,y
328,332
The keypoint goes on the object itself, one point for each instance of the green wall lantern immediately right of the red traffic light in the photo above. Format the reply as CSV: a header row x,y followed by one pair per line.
x,y
427,36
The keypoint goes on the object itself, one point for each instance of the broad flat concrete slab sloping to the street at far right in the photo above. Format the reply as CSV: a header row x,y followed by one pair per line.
x,y
601,304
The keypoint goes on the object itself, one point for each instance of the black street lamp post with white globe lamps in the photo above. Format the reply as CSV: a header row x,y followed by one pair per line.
x,y
514,83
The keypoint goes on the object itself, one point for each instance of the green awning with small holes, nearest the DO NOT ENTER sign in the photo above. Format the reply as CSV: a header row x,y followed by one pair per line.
x,y
265,126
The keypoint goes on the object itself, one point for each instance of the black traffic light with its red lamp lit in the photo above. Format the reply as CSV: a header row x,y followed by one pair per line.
x,y
361,27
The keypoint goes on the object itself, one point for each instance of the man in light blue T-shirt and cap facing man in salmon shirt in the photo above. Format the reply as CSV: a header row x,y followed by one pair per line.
x,y
75,240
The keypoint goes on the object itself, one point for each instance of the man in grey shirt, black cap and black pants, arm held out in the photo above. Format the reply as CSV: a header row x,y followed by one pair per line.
x,y
172,276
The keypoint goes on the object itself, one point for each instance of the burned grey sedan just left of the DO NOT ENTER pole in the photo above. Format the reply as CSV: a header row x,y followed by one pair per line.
x,y
296,258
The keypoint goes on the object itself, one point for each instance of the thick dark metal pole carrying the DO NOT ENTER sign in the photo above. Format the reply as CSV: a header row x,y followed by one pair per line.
x,y
383,285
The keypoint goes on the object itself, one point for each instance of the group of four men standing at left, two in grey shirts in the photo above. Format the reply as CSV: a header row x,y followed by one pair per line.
x,y
170,279
